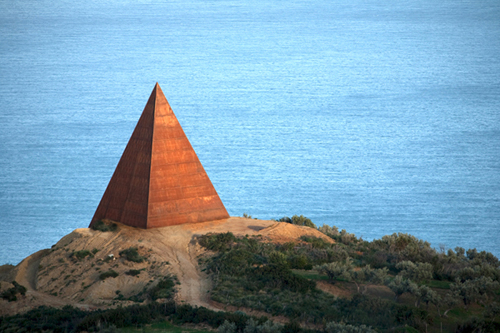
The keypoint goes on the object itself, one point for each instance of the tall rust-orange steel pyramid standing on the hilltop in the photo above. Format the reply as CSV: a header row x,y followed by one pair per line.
x,y
159,180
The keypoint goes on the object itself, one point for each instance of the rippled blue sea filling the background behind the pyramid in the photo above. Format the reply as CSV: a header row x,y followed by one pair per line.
x,y
374,116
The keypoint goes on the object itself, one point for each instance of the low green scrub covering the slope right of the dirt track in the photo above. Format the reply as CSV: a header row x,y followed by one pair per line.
x,y
454,289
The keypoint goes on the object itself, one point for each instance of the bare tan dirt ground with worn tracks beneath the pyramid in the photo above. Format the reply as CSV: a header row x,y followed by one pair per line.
x,y
70,272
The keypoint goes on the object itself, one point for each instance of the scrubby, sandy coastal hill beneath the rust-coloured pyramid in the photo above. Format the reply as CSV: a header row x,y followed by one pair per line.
x,y
235,274
